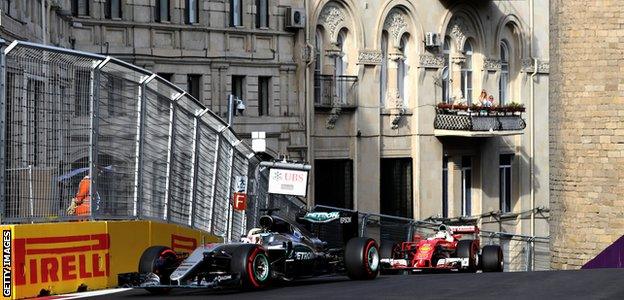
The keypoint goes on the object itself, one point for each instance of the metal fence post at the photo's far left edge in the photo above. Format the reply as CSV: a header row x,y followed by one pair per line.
x,y
3,126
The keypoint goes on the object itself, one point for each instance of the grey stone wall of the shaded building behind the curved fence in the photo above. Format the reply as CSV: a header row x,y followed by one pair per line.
x,y
210,48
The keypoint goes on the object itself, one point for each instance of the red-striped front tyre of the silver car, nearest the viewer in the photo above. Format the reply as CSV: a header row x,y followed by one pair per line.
x,y
253,265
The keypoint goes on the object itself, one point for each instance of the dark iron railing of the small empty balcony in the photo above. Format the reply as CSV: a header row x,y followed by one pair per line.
x,y
335,91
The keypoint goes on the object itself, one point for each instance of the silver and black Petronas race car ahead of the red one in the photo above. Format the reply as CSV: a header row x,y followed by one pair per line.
x,y
279,250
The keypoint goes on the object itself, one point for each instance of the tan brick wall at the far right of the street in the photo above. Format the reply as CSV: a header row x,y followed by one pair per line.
x,y
586,135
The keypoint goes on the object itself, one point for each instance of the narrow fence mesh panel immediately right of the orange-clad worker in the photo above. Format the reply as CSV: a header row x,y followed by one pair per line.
x,y
117,123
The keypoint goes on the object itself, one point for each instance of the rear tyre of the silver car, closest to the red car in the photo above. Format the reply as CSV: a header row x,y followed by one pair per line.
x,y
362,258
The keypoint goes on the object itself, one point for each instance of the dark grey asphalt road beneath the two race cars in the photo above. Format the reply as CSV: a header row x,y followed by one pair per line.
x,y
580,284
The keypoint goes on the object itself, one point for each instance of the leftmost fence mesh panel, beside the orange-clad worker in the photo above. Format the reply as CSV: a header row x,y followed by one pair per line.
x,y
47,129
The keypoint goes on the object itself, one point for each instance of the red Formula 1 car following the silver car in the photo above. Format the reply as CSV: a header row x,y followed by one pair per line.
x,y
450,248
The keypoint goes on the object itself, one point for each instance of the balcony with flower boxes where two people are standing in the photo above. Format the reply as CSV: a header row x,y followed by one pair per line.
x,y
478,122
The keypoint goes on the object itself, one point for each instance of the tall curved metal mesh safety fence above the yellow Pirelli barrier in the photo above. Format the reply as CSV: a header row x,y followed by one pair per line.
x,y
118,139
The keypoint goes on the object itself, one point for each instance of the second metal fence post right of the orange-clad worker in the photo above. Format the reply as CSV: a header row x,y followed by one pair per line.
x,y
138,179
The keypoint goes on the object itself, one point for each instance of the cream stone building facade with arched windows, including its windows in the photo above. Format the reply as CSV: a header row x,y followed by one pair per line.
x,y
378,142
